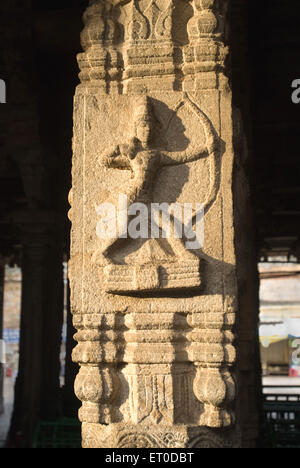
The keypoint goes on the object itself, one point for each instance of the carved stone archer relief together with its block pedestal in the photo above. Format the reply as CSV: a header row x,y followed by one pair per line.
x,y
154,267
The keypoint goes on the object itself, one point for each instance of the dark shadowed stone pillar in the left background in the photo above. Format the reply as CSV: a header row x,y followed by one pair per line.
x,y
37,393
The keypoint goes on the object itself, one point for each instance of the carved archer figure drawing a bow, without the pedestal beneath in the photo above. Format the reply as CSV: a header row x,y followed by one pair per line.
x,y
140,156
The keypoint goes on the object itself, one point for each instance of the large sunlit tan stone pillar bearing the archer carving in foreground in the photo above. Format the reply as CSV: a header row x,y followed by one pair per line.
x,y
155,308
